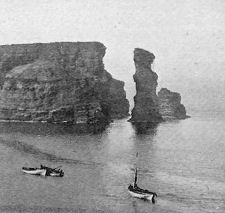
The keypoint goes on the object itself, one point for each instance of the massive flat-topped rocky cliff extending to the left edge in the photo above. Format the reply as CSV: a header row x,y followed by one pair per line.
x,y
59,82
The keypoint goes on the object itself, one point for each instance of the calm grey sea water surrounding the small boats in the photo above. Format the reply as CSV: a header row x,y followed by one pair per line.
x,y
183,161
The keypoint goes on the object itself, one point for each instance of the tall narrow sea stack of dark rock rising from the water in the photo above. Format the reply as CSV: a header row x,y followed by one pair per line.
x,y
146,101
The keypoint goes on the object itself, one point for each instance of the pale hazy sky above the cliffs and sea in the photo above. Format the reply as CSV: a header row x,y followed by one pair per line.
x,y
186,36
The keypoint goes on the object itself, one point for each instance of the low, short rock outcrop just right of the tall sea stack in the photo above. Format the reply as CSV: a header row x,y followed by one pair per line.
x,y
170,106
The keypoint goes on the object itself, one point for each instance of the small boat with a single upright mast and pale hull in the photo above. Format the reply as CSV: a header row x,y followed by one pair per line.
x,y
138,192
